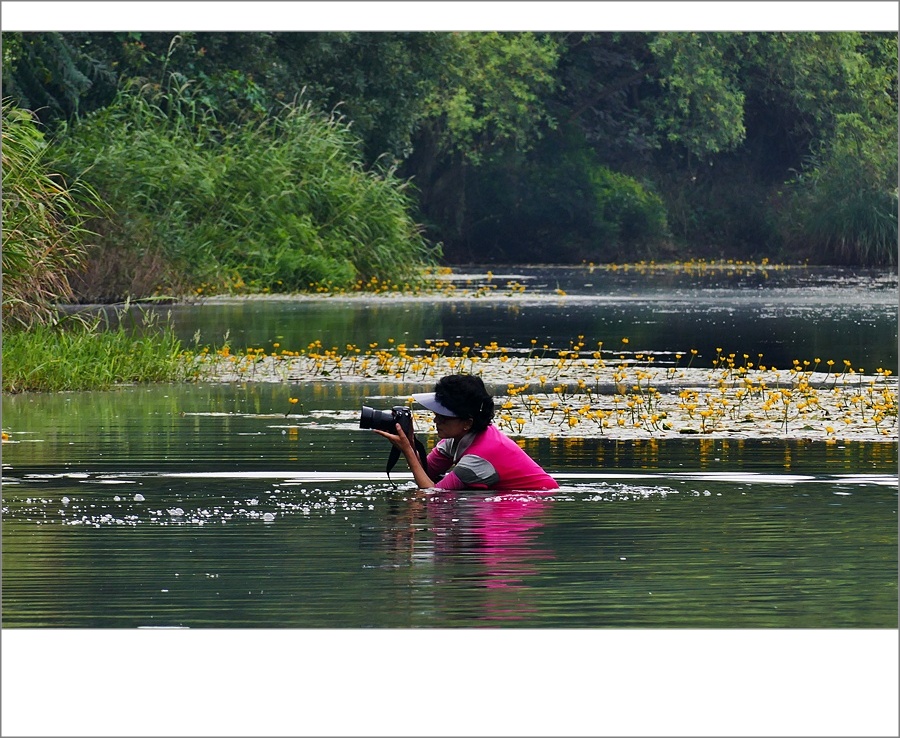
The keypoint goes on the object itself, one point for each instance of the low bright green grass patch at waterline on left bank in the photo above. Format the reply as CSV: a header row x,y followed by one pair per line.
x,y
91,355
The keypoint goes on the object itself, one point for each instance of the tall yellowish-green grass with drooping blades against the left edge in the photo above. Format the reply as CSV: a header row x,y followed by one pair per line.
x,y
43,224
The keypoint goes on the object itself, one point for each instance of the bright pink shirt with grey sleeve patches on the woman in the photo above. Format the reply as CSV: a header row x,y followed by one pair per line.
x,y
486,460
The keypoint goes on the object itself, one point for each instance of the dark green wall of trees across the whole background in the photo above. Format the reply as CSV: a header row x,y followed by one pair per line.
x,y
742,135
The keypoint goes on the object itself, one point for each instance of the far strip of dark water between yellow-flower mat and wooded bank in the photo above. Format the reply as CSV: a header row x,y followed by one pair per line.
x,y
796,313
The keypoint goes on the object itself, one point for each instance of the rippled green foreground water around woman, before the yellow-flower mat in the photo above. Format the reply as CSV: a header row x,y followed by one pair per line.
x,y
249,519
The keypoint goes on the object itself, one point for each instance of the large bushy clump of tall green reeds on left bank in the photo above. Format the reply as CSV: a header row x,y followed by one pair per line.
x,y
273,203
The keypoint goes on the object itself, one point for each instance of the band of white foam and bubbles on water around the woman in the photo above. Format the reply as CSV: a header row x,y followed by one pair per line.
x,y
281,493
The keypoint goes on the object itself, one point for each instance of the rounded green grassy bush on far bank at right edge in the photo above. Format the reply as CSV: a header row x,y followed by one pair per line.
x,y
846,197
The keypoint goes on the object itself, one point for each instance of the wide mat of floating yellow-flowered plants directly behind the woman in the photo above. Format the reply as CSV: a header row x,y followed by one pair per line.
x,y
585,390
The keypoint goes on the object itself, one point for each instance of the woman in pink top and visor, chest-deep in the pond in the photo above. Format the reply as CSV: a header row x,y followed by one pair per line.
x,y
471,452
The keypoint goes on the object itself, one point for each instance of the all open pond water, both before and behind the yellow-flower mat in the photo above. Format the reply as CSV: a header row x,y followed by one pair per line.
x,y
205,505
